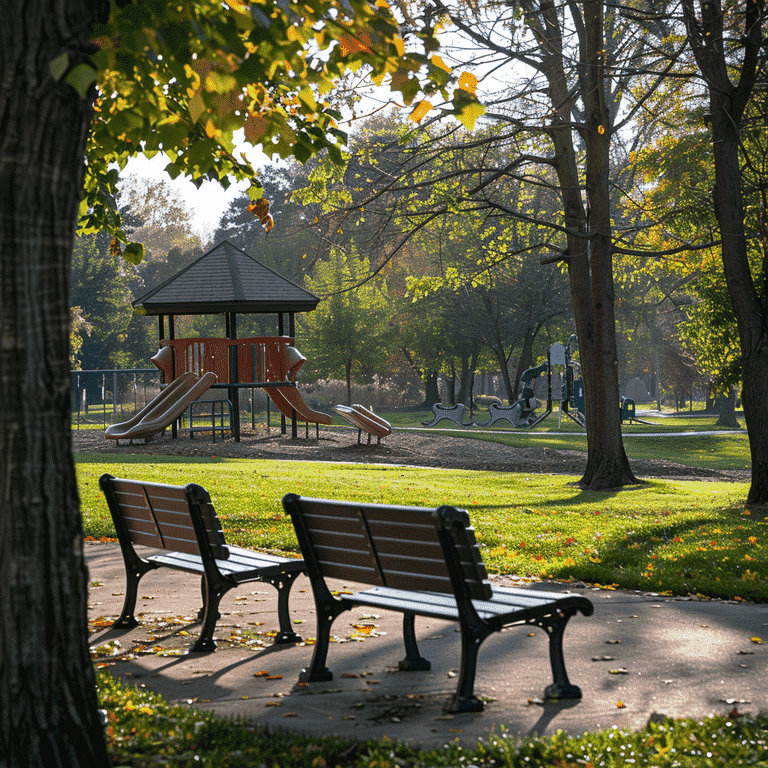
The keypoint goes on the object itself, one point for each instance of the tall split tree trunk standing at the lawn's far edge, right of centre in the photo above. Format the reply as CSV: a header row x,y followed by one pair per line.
x,y
589,245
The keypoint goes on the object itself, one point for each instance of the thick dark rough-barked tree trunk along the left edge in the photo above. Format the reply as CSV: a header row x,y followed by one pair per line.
x,y
48,703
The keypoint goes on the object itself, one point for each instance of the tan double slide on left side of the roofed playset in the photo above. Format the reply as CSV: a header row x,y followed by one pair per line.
x,y
161,412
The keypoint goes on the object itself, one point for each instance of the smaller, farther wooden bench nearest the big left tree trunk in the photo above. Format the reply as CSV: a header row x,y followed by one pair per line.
x,y
181,523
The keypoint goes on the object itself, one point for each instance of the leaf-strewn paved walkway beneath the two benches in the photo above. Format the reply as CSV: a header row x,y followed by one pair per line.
x,y
636,655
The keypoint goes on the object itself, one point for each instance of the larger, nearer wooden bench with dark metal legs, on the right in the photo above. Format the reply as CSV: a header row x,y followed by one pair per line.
x,y
423,562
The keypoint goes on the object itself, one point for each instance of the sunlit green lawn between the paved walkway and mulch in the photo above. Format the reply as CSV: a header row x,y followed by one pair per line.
x,y
677,537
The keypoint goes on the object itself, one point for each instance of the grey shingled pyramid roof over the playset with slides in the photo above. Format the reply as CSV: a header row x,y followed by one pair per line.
x,y
225,279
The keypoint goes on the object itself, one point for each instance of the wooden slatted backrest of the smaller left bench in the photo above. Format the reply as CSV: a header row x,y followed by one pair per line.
x,y
172,517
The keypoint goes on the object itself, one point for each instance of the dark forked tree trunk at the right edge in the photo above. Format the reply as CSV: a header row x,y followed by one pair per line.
x,y
727,104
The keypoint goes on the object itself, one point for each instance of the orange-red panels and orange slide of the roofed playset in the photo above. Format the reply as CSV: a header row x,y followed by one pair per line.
x,y
267,362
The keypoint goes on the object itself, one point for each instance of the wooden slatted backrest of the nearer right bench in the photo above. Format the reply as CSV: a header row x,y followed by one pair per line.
x,y
391,546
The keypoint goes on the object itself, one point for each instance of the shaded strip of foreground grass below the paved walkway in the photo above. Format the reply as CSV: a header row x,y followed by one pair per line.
x,y
144,730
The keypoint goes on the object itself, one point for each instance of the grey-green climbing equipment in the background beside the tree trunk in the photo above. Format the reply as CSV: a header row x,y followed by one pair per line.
x,y
564,386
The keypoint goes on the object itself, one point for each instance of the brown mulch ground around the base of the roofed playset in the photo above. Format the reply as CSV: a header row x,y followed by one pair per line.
x,y
427,448
